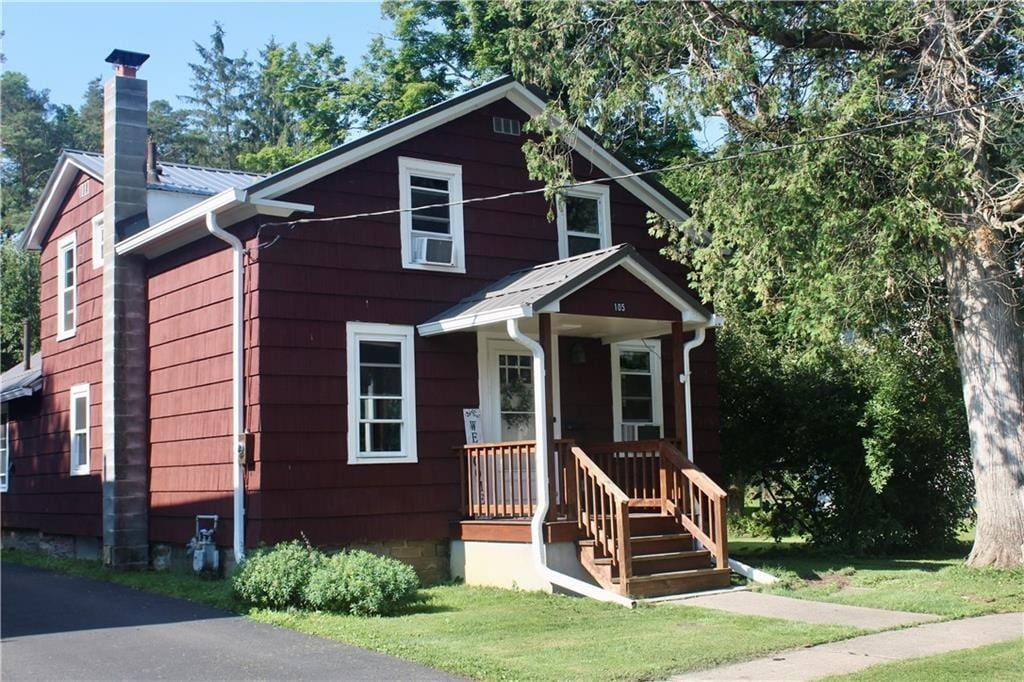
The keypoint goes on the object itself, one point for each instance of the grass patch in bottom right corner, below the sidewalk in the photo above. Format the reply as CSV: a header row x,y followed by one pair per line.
x,y
999,662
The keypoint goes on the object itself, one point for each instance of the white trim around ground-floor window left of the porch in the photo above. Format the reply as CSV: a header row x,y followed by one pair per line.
x,y
406,335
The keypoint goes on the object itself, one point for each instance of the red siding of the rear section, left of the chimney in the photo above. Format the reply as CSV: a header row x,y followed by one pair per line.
x,y
42,494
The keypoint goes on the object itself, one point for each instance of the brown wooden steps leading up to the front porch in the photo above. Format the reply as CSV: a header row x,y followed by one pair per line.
x,y
664,561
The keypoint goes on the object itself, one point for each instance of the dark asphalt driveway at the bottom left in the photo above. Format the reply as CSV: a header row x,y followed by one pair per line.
x,y
59,627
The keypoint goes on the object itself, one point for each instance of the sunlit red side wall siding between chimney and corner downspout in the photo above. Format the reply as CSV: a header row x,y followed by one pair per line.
x,y
190,292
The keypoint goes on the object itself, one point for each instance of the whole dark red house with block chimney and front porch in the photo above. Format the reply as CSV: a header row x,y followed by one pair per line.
x,y
202,355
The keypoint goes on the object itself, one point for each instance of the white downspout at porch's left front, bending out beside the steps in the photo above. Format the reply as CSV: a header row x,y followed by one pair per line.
x,y
541,464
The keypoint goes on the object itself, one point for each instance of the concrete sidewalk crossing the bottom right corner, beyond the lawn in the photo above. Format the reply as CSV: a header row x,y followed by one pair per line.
x,y
854,655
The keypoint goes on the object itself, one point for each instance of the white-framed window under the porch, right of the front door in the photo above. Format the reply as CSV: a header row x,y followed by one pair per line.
x,y
636,372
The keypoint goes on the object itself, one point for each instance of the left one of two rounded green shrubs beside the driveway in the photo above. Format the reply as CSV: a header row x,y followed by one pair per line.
x,y
277,577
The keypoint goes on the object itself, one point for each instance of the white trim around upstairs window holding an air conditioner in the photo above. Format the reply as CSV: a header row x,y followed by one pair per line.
x,y
435,169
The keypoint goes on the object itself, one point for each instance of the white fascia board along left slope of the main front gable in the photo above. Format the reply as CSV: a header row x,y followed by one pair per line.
x,y
401,135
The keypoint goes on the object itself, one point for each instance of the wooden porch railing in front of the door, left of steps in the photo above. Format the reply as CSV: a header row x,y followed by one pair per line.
x,y
499,480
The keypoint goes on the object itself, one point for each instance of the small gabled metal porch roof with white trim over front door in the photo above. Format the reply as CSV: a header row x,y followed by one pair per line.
x,y
540,289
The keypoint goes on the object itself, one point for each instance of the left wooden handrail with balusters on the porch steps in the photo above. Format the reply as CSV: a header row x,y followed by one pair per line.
x,y
605,520
